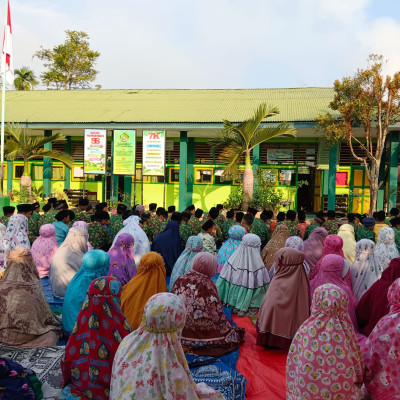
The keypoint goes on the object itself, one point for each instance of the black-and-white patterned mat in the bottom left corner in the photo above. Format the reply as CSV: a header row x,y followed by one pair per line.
x,y
45,362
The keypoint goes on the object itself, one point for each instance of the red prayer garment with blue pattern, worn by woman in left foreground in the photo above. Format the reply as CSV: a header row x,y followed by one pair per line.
x,y
89,354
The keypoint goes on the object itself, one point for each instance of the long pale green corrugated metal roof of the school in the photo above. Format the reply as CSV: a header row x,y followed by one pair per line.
x,y
163,105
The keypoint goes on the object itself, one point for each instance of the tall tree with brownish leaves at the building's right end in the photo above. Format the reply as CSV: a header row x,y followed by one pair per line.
x,y
368,100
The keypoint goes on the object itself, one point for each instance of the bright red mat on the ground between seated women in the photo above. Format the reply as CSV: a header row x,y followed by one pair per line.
x,y
264,369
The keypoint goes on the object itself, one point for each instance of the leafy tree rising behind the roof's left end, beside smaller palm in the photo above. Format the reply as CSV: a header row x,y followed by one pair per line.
x,y
69,65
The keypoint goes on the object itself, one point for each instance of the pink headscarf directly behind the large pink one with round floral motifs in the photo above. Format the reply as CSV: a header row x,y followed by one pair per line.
x,y
331,271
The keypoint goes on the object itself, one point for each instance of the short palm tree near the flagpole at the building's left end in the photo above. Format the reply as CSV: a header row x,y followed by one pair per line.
x,y
21,145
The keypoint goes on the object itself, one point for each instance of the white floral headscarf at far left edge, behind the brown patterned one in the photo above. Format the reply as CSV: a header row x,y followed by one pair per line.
x,y
16,235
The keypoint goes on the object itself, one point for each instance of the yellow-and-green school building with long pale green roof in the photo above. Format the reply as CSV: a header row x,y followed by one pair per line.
x,y
312,175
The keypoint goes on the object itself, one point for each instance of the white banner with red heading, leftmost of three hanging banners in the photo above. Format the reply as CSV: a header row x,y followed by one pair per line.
x,y
95,151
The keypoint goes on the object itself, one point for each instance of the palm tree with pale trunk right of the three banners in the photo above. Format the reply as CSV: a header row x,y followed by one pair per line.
x,y
240,139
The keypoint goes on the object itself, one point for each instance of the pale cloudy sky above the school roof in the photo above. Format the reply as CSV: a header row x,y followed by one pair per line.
x,y
188,44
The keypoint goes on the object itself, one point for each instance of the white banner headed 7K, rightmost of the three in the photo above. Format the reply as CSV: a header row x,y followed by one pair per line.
x,y
154,153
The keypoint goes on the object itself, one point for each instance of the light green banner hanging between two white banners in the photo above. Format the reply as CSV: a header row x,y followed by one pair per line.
x,y
124,152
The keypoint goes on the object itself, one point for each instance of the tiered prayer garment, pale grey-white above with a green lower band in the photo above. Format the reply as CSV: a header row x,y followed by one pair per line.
x,y
244,279
